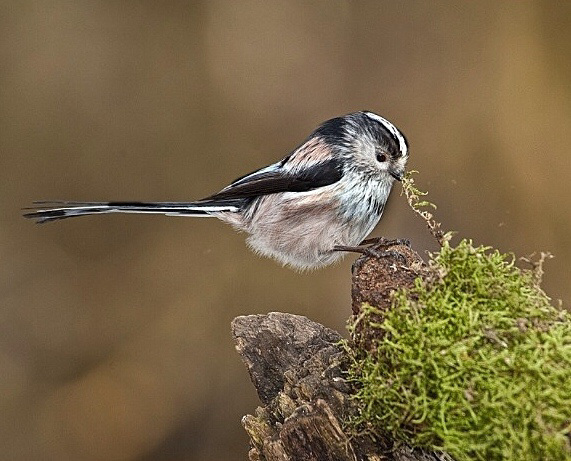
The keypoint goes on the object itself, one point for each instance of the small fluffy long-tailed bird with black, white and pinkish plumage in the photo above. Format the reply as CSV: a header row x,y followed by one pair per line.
x,y
304,211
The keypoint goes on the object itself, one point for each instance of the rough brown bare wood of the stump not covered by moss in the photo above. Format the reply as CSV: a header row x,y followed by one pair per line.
x,y
297,368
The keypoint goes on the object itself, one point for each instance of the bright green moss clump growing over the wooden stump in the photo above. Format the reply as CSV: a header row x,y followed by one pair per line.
x,y
476,362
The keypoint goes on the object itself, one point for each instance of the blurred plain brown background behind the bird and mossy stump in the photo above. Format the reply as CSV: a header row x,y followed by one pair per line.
x,y
114,330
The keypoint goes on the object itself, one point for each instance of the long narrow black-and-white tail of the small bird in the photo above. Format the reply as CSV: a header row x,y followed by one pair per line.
x,y
50,211
